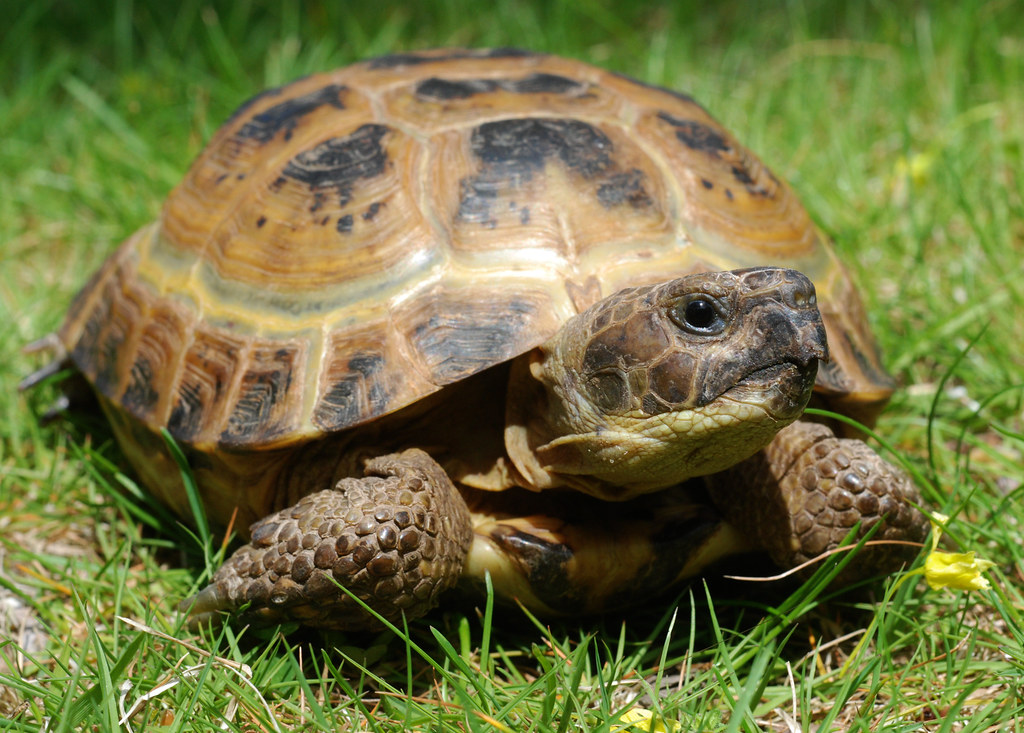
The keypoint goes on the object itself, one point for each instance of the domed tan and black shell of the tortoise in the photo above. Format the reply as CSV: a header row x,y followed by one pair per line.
x,y
355,241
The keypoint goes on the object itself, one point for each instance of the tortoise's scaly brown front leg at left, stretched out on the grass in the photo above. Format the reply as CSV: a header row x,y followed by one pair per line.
x,y
396,539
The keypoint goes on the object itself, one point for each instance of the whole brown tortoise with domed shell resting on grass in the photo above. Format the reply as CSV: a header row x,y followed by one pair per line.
x,y
455,313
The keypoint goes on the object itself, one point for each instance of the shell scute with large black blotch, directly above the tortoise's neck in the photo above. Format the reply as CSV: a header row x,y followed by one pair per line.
x,y
557,193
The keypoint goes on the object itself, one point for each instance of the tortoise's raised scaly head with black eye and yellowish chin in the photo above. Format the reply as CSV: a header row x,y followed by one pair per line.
x,y
659,384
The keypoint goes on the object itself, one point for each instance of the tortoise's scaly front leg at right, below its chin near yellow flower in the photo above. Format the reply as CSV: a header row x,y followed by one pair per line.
x,y
802,496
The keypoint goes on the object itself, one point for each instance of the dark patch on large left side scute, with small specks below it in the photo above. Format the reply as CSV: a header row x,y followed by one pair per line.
x,y
340,162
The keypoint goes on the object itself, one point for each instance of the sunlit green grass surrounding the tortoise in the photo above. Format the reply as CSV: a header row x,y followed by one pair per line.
x,y
899,126
